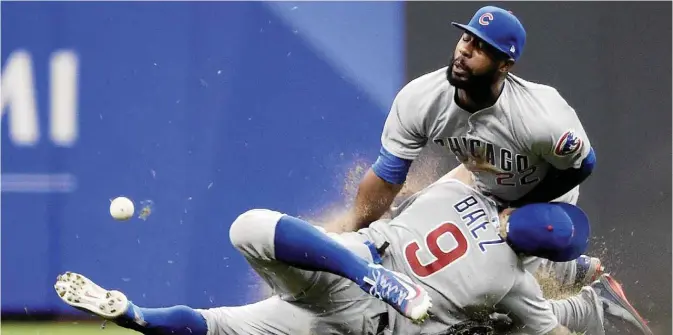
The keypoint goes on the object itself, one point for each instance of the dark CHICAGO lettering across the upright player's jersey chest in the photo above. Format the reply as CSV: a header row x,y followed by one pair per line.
x,y
503,163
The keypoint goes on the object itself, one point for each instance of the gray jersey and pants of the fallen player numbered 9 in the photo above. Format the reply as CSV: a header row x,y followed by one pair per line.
x,y
445,237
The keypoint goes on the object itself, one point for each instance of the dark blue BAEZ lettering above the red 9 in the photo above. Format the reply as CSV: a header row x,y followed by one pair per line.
x,y
477,220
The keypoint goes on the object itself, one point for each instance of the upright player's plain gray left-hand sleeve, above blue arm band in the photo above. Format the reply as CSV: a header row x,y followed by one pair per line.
x,y
403,134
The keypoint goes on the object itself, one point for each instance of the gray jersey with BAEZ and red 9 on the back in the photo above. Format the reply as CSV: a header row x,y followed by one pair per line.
x,y
446,237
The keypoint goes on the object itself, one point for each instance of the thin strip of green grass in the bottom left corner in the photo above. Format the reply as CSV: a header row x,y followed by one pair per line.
x,y
61,328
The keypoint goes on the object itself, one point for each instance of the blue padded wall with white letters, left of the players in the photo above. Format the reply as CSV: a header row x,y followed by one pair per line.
x,y
199,111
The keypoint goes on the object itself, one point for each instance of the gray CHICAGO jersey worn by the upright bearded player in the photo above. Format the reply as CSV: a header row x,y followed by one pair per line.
x,y
509,146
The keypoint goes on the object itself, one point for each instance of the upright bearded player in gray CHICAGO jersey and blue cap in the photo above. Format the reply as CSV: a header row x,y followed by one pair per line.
x,y
522,142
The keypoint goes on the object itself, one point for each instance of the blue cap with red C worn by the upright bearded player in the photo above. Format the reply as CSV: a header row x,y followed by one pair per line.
x,y
499,28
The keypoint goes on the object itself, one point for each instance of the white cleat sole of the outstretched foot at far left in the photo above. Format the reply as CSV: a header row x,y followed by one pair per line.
x,y
82,293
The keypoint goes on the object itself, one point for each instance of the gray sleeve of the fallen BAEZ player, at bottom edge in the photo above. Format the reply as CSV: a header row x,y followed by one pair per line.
x,y
525,304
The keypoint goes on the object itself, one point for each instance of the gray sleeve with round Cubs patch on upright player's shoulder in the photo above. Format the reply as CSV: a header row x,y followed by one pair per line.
x,y
562,141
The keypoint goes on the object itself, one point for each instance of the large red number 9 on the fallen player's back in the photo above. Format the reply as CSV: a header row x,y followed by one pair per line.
x,y
431,246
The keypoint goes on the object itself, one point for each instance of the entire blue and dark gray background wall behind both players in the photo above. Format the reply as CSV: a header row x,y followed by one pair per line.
x,y
200,111
